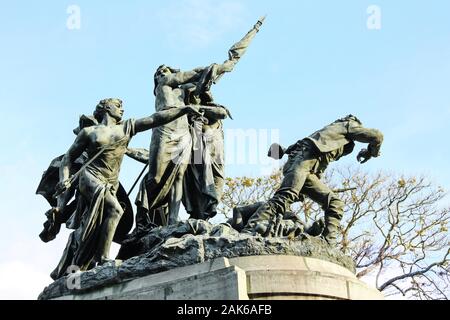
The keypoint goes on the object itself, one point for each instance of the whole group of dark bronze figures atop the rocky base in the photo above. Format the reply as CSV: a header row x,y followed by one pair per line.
x,y
185,166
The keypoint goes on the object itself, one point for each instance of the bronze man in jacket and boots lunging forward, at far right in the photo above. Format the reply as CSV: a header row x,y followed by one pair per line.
x,y
308,159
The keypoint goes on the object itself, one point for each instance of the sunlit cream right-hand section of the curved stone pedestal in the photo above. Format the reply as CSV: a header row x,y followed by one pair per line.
x,y
301,278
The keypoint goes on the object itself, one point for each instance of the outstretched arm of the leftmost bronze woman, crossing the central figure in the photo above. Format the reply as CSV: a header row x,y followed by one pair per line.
x,y
164,117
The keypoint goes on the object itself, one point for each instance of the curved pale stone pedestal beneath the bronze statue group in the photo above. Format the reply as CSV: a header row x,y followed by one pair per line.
x,y
243,278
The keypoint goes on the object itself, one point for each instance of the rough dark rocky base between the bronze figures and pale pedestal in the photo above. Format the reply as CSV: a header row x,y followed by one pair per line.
x,y
190,243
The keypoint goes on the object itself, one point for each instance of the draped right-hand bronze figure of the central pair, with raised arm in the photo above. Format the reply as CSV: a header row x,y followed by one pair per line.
x,y
205,176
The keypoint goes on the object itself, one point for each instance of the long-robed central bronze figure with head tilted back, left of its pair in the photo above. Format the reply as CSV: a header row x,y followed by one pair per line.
x,y
170,149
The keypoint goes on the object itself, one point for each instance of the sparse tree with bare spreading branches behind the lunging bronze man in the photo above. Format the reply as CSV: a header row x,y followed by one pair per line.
x,y
395,228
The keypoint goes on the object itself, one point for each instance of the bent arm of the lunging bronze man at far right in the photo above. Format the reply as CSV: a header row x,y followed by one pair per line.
x,y
373,137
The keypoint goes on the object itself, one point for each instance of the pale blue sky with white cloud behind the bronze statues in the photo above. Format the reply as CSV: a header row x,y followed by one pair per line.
x,y
312,62
